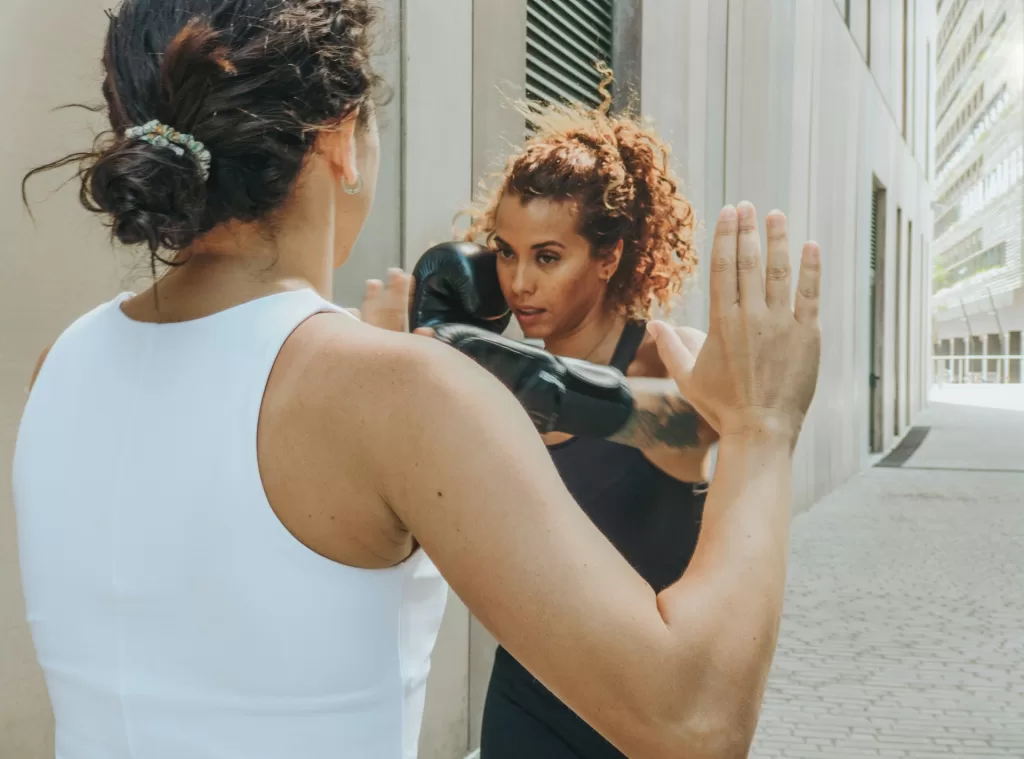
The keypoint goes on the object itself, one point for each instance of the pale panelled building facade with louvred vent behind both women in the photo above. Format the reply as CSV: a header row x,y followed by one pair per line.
x,y
818,108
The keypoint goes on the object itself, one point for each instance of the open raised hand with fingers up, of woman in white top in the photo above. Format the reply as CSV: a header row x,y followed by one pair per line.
x,y
758,369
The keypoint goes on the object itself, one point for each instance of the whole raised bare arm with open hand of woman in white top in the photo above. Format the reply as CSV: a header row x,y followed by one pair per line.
x,y
680,674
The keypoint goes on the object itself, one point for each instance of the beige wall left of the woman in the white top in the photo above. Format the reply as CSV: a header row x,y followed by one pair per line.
x,y
53,271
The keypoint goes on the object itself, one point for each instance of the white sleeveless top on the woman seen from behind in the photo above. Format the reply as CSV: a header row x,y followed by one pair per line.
x,y
174,615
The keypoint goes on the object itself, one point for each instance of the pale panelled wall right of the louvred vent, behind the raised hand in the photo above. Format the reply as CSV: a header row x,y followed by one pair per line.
x,y
774,102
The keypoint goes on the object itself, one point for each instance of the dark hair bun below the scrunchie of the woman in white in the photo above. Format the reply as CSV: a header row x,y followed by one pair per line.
x,y
151,194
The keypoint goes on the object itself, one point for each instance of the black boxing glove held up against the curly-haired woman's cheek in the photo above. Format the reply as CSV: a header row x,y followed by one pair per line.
x,y
457,283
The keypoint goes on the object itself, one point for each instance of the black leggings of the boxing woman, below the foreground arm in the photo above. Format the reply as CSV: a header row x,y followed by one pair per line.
x,y
525,721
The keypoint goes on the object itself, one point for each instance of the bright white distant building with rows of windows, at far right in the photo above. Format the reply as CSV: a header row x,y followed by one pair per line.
x,y
978,277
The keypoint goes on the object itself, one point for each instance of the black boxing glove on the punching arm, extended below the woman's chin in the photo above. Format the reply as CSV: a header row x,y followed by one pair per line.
x,y
561,395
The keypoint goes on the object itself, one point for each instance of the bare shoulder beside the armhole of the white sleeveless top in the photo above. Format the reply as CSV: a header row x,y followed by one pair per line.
x,y
348,413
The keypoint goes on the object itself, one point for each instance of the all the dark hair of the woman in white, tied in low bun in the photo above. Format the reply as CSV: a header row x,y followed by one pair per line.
x,y
255,81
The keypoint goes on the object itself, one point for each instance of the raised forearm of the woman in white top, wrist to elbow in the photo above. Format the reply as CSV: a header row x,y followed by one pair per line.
x,y
732,595
